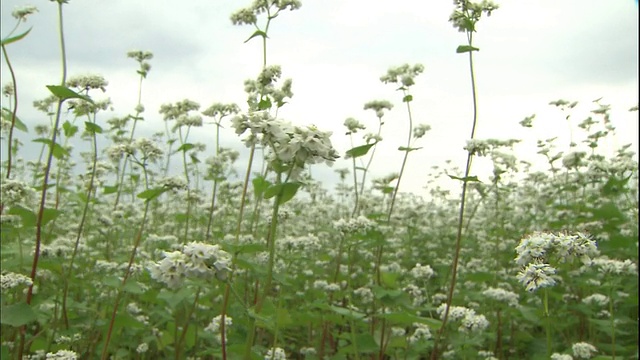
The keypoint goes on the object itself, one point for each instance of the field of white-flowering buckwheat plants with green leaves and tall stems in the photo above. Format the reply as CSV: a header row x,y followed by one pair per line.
x,y
108,254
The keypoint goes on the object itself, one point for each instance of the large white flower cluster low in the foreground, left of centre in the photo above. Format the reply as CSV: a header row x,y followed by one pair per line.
x,y
193,260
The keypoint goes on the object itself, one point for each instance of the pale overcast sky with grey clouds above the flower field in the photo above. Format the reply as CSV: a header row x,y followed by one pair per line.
x,y
531,53
